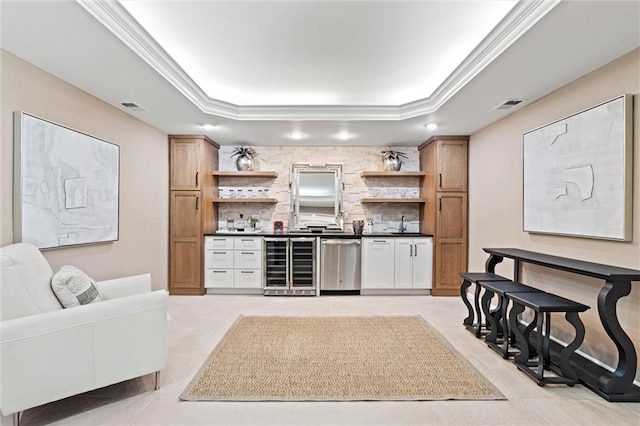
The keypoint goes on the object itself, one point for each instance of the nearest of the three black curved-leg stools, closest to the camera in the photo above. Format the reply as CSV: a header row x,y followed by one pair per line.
x,y
543,304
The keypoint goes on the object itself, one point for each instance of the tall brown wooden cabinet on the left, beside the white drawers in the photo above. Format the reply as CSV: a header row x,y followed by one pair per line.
x,y
192,213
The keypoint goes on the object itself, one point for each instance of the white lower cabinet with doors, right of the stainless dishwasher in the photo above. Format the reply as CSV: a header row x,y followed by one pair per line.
x,y
397,263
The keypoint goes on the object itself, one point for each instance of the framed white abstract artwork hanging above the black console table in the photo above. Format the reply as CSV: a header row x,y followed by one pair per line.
x,y
577,174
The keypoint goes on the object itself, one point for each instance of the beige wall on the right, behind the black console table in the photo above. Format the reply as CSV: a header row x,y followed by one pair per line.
x,y
495,203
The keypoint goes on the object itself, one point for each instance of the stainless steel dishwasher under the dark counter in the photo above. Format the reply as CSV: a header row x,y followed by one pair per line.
x,y
340,264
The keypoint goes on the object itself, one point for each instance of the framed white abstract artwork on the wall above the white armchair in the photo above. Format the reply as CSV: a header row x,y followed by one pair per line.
x,y
66,185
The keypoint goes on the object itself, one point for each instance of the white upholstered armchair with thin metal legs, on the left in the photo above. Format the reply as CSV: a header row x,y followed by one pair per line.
x,y
48,353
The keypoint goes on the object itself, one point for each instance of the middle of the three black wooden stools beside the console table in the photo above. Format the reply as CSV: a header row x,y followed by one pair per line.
x,y
500,314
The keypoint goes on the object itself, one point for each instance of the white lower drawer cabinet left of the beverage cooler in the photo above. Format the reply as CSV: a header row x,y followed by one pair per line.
x,y
233,262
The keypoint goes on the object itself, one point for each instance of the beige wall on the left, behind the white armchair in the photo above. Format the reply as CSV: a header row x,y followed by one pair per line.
x,y
143,243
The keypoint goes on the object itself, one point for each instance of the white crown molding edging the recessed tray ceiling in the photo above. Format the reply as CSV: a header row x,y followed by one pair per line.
x,y
518,21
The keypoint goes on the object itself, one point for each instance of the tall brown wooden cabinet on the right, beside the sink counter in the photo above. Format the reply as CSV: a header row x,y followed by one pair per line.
x,y
444,213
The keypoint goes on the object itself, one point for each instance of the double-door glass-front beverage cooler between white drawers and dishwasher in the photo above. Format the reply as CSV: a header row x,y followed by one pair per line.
x,y
290,266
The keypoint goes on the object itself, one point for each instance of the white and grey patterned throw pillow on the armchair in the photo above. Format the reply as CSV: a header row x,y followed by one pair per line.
x,y
74,288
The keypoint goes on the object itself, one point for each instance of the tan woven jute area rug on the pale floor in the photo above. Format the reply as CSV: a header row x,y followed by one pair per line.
x,y
264,358
